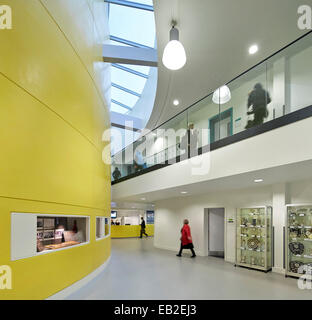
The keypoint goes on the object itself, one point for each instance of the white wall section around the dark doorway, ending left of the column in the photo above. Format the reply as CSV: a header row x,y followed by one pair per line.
x,y
169,216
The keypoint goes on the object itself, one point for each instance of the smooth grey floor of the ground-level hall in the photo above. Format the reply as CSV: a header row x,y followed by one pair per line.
x,y
138,271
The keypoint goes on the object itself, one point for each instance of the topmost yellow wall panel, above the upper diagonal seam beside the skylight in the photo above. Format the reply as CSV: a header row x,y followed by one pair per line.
x,y
85,36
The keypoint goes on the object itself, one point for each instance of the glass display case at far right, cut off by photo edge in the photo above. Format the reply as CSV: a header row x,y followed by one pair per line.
x,y
298,244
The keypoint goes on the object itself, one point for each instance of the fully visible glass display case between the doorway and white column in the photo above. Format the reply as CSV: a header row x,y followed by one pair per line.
x,y
254,238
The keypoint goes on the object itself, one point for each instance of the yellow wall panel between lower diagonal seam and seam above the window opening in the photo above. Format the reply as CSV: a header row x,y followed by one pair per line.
x,y
43,157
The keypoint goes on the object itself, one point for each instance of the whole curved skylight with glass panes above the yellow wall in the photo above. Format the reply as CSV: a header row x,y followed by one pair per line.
x,y
132,24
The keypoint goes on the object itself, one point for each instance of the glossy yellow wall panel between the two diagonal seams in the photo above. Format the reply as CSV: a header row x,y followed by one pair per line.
x,y
50,69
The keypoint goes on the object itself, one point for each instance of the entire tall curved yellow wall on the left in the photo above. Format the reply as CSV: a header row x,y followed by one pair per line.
x,y
53,88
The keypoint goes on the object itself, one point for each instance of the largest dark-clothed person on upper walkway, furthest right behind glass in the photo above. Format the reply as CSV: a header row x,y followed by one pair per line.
x,y
259,99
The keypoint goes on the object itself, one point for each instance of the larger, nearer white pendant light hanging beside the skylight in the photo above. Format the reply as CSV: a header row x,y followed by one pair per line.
x,y
174,57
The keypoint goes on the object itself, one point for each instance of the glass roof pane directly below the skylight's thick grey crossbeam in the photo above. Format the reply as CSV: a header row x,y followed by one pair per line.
x,y
128,80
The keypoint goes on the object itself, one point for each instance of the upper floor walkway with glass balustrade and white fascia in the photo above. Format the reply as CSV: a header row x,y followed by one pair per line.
x,y
259,120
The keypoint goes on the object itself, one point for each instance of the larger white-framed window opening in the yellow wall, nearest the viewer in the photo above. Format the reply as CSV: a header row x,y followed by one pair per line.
x,y
34,234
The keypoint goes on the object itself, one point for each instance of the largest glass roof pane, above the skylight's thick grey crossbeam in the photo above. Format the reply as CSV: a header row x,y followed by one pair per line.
x,y
136,25
